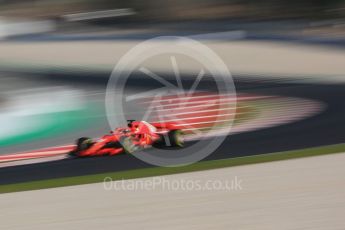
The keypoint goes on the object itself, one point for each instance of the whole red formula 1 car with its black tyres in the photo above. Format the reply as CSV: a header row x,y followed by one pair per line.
x,y
138,135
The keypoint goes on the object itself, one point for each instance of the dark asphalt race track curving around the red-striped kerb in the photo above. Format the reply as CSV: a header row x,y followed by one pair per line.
x,y
325,128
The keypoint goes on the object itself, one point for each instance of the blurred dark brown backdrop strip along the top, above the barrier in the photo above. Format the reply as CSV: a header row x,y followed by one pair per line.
x,y
314,17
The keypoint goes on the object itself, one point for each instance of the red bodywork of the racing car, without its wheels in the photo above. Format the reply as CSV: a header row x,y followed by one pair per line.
x,y
142,134
